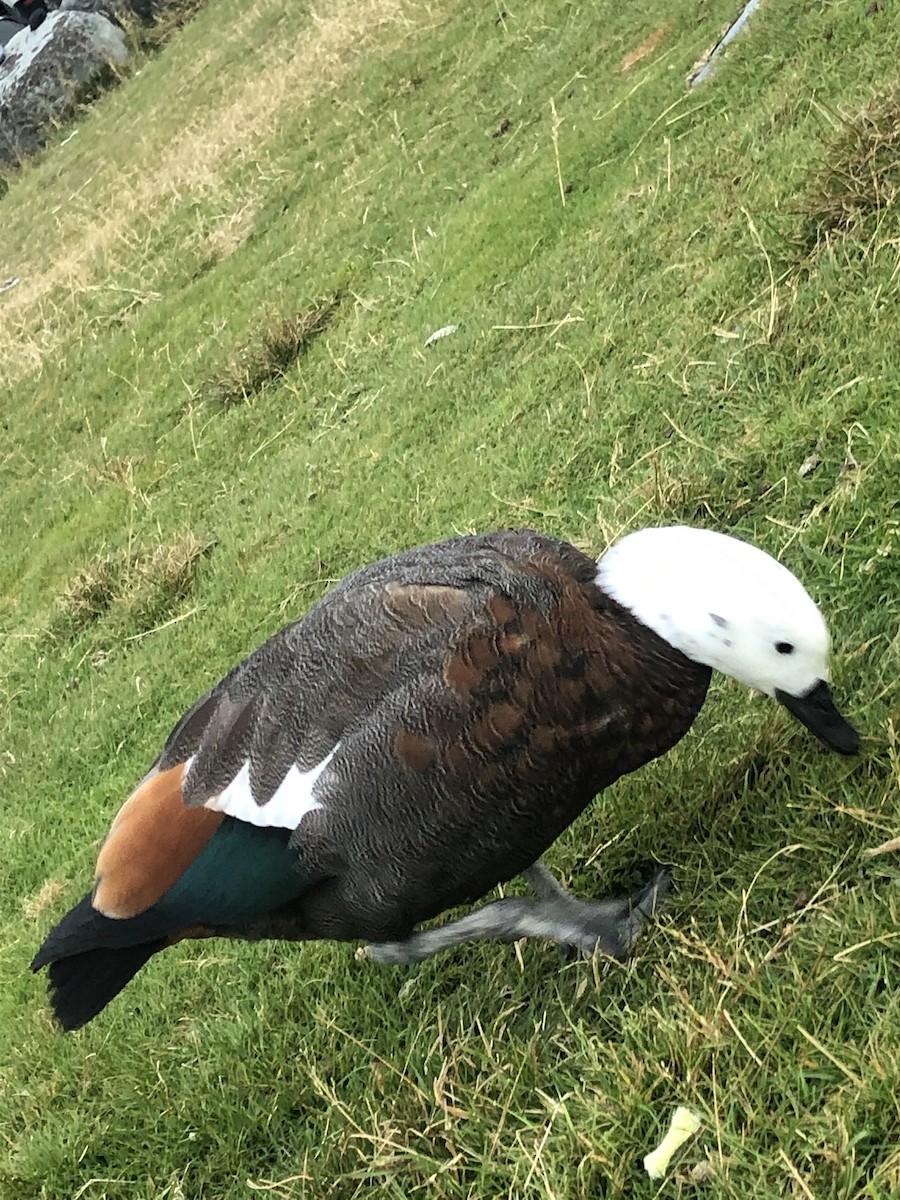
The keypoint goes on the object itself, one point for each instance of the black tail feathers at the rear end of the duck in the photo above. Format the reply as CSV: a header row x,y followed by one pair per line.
x,y
92,958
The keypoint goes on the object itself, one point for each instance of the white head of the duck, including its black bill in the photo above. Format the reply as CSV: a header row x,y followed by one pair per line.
x,y
731,607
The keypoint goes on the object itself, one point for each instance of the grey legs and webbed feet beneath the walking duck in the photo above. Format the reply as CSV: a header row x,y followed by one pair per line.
x,y
609,926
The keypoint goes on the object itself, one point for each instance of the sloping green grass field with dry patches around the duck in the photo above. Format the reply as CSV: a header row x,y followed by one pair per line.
x,y
674,304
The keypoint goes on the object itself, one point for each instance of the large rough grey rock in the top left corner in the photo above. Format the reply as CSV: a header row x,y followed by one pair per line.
x,y
44,73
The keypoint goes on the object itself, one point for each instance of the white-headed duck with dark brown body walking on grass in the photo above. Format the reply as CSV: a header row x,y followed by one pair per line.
x,y
424,734
